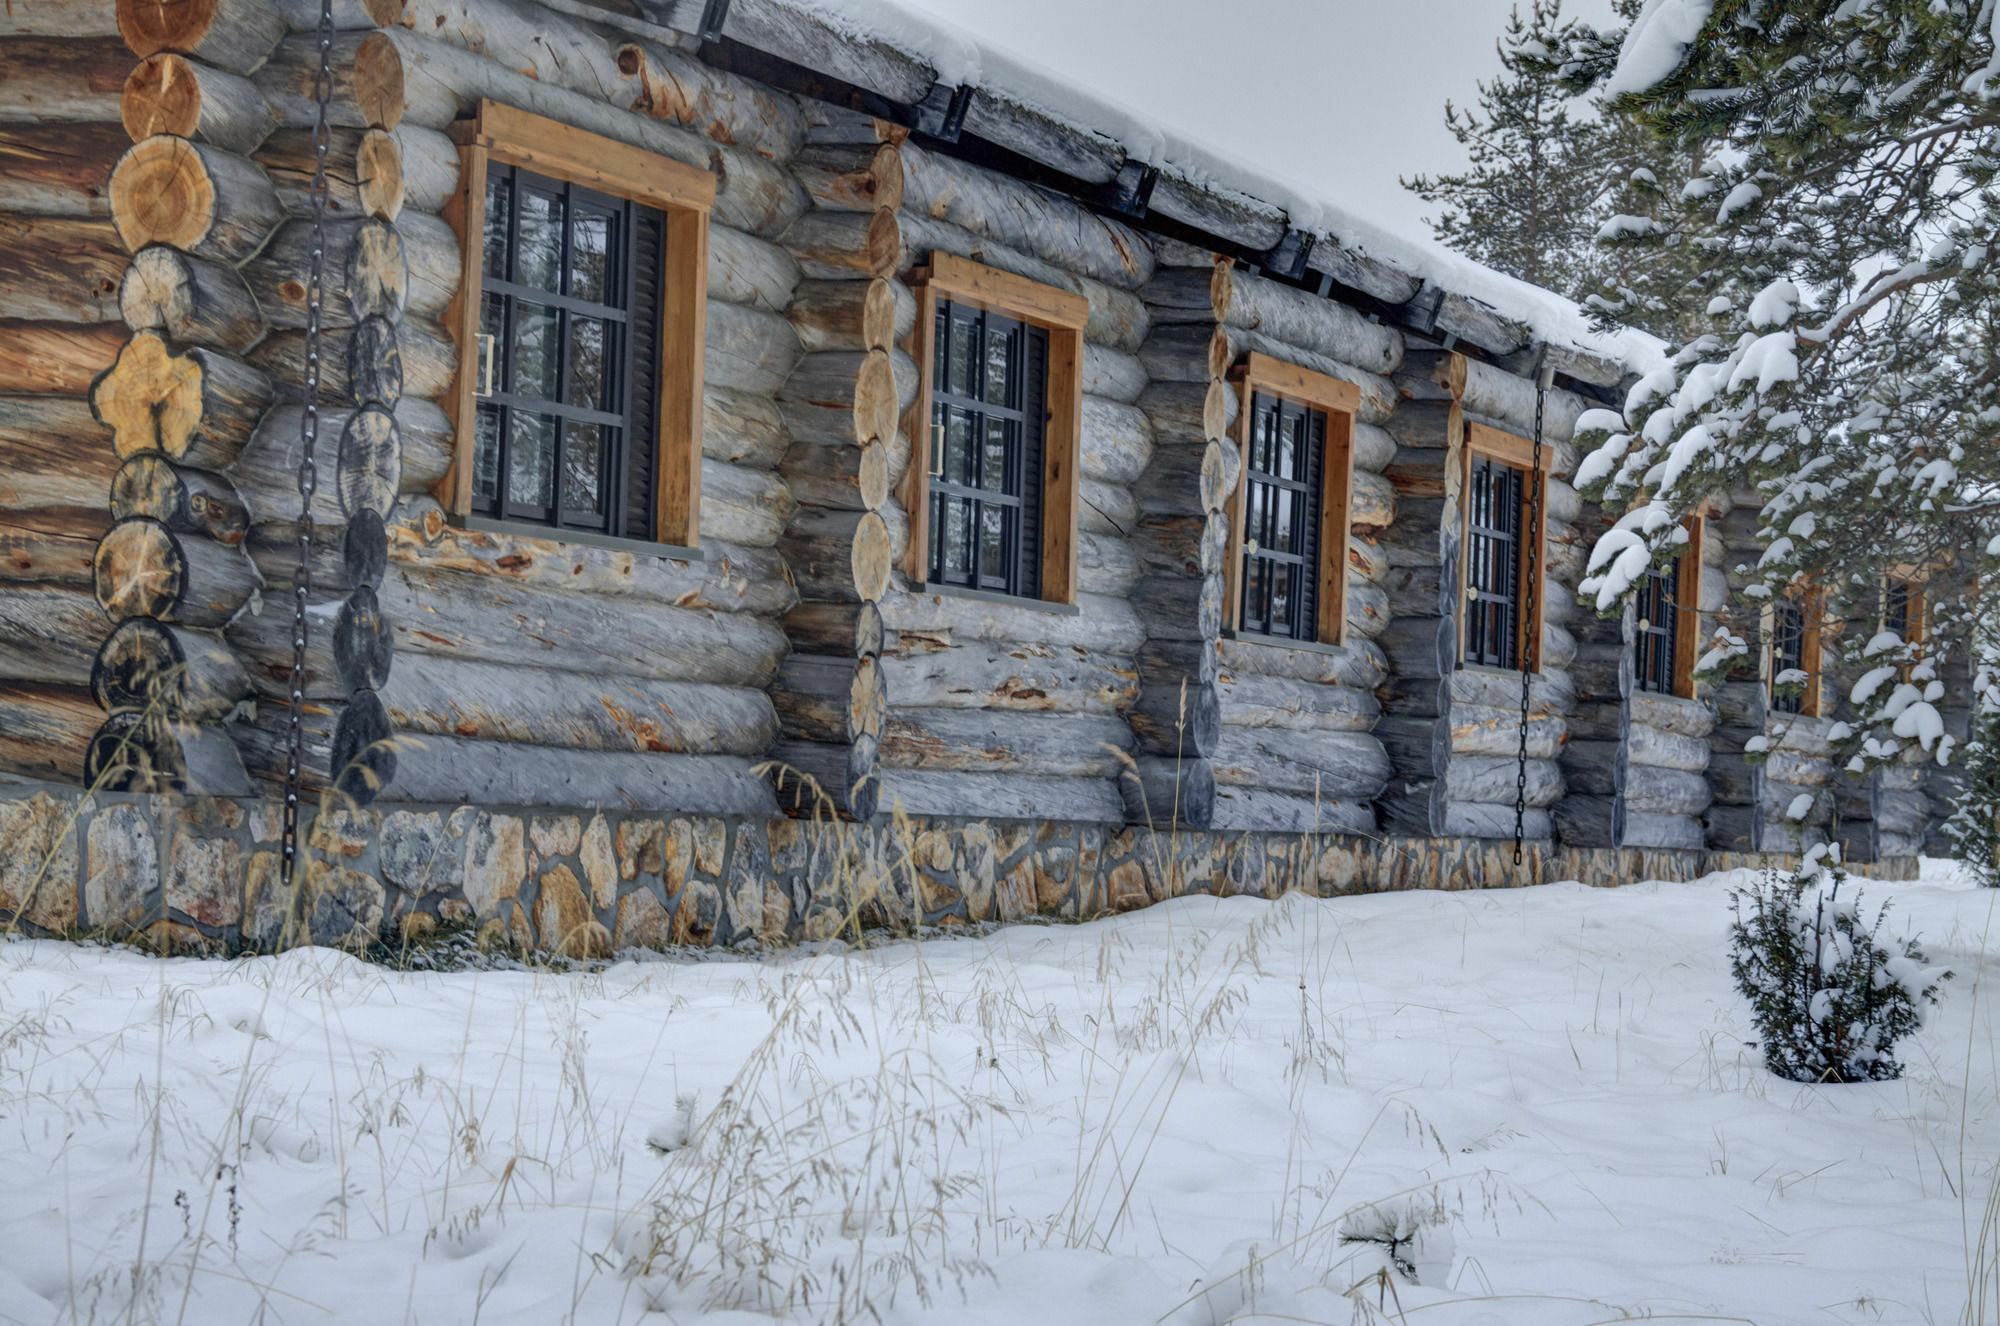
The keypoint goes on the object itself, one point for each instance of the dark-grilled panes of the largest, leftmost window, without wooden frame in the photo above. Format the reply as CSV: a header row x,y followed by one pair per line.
x,y
569,333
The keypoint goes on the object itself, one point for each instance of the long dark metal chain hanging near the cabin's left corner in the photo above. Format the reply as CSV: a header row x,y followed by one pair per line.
x,y
309,435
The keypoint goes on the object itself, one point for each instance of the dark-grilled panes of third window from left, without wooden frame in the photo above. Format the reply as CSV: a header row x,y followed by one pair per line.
x,y
1283,519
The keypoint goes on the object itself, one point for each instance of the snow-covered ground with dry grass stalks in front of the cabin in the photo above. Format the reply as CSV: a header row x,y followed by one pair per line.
x,y
1051,1127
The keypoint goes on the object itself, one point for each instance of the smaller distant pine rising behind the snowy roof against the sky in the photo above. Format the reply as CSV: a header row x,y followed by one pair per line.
x,y
1527,205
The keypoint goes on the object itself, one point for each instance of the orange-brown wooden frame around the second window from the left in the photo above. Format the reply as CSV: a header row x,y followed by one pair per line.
x,y
1059,313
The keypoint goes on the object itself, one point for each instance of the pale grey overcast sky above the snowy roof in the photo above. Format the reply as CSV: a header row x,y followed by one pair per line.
x,y
1339,95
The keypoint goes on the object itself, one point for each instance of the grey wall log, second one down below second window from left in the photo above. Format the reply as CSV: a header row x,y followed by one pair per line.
x,y
1027,677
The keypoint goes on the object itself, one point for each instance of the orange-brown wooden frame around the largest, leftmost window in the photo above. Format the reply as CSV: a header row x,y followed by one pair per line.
x,y
685,195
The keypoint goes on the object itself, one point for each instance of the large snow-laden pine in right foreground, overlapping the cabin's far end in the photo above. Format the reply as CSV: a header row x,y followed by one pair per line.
x,y
1847,213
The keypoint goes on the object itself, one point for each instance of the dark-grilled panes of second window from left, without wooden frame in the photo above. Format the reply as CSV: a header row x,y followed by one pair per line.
x,y
989,423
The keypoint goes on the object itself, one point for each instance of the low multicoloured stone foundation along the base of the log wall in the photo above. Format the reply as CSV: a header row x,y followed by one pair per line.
x,y
203,873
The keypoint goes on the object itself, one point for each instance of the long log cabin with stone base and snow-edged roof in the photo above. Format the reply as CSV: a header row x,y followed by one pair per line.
x,y
653,435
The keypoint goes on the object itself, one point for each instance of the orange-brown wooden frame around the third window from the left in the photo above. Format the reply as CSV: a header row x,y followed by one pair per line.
x,y
1339,403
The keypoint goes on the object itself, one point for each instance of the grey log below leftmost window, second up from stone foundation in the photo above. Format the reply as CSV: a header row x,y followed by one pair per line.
x,y
547,707
